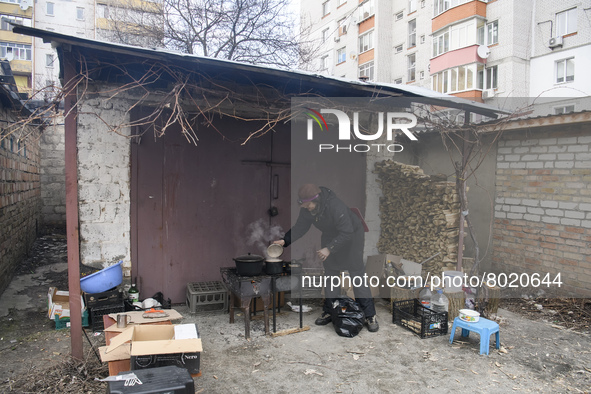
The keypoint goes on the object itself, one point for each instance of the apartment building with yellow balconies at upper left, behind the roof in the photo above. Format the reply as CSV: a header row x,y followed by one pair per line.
x,y
34,64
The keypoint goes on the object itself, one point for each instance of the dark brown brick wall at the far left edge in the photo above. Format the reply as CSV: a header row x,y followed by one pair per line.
x,y
20,196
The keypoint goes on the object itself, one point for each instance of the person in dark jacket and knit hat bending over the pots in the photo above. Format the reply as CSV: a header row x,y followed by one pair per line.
x,y
341,245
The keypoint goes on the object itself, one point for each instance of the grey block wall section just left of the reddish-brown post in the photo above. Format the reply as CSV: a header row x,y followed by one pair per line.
x,y
53,175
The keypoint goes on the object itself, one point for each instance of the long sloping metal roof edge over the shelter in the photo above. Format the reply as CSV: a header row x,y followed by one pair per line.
x,y
302,80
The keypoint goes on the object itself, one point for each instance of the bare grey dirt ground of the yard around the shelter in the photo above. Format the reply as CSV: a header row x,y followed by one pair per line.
x,y
538,354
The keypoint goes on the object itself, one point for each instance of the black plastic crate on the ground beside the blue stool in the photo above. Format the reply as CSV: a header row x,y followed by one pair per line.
x,y
422,321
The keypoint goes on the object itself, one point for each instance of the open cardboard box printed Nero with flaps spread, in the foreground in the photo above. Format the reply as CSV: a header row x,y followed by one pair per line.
x,y
151,346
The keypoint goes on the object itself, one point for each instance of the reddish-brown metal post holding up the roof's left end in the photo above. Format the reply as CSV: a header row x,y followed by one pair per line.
x,y
72,226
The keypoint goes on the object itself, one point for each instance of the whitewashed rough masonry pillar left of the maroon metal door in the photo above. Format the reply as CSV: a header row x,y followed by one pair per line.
x,y
104,181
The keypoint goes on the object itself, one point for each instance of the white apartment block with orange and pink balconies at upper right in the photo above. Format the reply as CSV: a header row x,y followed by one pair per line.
x,y
480,50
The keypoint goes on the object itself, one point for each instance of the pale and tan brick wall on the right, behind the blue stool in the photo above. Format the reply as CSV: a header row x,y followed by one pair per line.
x,y
543,205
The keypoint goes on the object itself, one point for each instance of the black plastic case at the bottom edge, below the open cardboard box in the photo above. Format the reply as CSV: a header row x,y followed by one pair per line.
x,y
171,379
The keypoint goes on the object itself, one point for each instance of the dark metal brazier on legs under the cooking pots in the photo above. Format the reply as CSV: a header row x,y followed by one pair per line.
x,y
248,287
